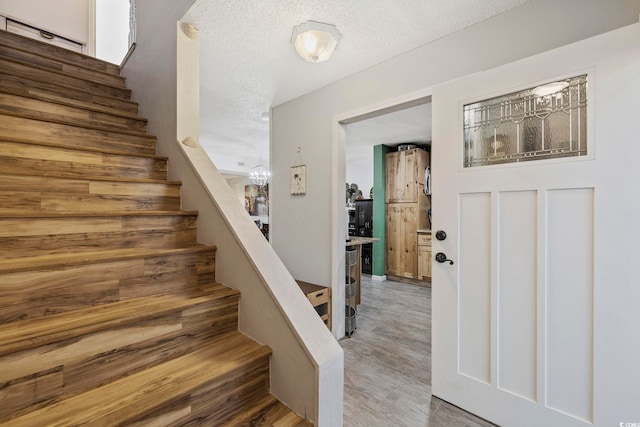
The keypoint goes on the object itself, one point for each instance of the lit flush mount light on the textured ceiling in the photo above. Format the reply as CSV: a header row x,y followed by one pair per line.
x,y
315,41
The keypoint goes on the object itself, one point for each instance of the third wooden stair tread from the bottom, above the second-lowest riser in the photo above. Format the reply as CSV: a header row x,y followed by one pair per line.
x,y
31,333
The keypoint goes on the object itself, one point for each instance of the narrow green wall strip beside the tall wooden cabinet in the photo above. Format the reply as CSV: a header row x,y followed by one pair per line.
x,y
379,156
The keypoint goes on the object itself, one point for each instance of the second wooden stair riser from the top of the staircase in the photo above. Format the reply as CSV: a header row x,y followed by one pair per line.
x,y
80,72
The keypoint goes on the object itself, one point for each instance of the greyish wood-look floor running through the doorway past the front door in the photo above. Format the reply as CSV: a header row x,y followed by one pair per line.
x,y
387,362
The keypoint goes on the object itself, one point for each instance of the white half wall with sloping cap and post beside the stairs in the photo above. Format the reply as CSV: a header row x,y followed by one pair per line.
x,y
307,362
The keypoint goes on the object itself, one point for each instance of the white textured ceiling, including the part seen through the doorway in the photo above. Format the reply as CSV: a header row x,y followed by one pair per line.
x,y
249,66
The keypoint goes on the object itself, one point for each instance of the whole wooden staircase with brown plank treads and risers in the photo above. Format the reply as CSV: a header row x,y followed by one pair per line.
x,y
109,309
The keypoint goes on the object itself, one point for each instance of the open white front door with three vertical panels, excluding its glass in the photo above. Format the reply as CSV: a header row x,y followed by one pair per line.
x,y
537,321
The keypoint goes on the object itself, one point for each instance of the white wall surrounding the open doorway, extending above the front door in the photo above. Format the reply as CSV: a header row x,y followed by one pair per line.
x,y
310,121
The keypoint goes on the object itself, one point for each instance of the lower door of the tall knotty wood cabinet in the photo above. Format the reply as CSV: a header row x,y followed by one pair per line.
x,y
402,241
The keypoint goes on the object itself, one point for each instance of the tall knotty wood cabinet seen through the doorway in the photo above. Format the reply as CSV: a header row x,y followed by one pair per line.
x,y
407,208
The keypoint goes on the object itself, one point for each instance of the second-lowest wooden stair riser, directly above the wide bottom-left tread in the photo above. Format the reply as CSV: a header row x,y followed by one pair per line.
x,y
53,372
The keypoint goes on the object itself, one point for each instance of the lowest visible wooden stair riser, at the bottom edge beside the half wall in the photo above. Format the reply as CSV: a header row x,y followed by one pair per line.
x,y
213,403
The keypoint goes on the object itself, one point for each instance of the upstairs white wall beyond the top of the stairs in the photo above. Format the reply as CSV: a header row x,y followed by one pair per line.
x,y
72,19
